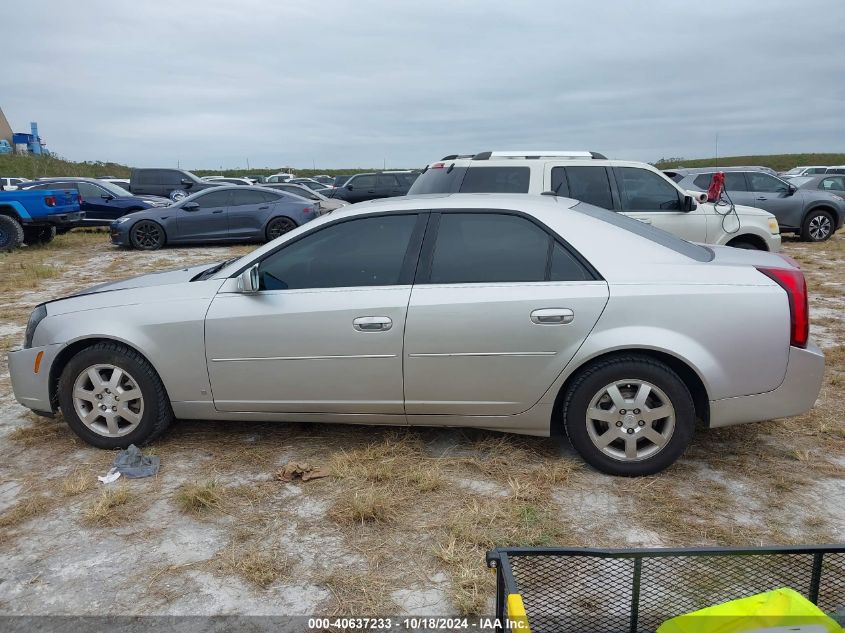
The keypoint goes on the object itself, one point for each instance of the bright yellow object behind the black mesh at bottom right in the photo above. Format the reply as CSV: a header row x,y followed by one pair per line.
x,y
778,608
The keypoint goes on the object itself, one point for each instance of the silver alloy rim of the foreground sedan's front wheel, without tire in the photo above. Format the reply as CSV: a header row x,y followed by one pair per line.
x,y
108,400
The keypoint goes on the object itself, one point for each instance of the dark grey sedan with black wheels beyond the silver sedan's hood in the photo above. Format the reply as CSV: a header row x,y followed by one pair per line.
x,y
229,213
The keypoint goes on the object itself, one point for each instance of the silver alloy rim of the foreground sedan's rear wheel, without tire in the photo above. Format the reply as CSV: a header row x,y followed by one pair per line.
x,y
630,420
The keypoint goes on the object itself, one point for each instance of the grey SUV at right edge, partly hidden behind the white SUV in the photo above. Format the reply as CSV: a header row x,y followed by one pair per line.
x,y
814,214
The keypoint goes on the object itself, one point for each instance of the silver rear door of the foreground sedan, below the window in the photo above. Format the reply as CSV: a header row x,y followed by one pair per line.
x,y
474,349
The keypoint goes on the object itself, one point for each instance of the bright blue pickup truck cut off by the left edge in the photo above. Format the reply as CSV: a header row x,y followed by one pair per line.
x,y
32,217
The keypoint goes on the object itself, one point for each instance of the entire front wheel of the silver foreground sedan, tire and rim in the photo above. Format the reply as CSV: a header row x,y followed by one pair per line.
x,y
112,397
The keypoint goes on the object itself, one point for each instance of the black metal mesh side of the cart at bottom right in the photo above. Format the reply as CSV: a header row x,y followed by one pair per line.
x,y
633,591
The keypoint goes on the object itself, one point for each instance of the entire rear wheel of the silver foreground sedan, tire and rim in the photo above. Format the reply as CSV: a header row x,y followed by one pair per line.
x,y
629,416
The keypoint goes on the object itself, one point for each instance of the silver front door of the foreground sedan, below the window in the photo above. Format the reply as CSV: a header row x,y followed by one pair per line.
x,y
301,351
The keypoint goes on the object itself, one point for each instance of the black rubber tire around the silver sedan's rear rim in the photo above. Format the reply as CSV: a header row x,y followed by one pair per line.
x,y
591,381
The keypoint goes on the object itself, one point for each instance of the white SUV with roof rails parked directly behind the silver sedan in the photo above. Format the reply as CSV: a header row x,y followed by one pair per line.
x,y
635,189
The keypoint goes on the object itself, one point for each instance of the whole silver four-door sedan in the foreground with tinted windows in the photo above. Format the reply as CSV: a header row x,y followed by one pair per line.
x,y
534,315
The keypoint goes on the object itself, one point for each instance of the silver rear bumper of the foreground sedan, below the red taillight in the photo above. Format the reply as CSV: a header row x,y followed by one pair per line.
x,y
796,394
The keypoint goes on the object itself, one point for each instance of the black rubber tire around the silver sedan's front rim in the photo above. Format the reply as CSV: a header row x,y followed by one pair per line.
x,y
157,414
